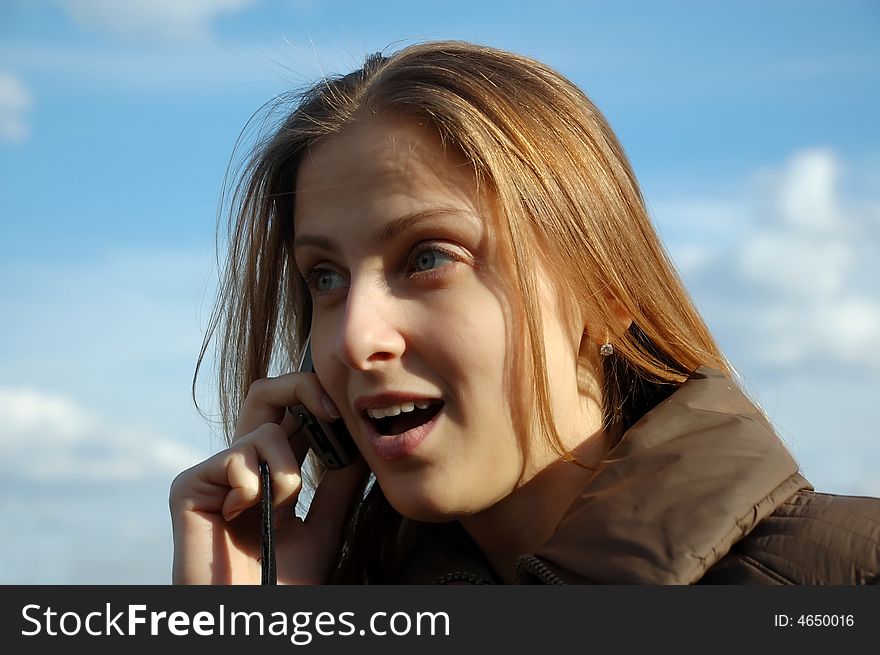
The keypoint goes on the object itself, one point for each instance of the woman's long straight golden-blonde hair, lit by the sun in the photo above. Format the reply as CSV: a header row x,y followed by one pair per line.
x,y
565,194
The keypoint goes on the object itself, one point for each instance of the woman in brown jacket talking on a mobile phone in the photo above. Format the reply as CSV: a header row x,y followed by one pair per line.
x,y
495,321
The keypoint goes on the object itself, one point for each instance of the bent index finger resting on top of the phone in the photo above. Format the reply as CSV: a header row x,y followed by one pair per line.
x,y
268,398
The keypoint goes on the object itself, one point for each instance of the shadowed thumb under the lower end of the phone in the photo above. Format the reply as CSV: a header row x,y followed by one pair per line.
x,y
335,497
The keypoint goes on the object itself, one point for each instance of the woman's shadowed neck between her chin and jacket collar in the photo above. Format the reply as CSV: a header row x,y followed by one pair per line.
x,y
525,519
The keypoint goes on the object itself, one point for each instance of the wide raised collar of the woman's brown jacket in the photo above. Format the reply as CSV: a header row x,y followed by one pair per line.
x,y
686,482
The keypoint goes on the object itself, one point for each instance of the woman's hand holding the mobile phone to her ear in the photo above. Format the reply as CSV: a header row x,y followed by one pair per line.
x,y
215,509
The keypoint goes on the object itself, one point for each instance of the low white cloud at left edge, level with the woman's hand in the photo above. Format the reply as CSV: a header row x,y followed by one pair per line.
x,y
46,437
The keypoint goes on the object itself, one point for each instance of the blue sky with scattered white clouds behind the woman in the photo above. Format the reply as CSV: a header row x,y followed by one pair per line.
x,y
752,127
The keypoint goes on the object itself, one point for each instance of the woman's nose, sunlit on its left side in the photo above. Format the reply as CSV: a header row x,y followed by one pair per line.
x,y
371,330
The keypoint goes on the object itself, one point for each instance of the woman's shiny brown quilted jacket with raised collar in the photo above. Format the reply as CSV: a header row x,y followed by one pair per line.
x,y
700,490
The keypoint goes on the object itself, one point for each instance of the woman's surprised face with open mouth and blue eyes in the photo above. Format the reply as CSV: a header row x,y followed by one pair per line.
x,y
409,328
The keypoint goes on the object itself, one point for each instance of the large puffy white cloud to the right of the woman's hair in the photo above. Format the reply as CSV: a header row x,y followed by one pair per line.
x,y
794,281
